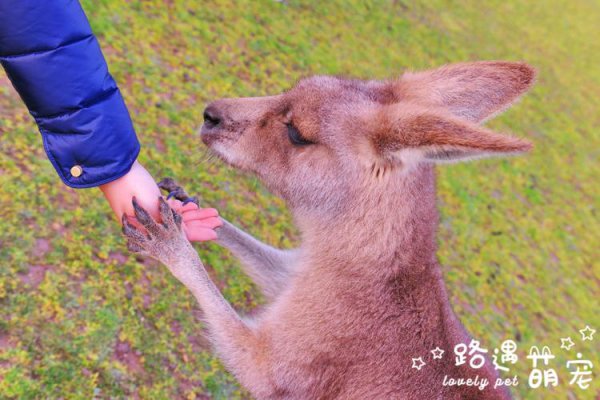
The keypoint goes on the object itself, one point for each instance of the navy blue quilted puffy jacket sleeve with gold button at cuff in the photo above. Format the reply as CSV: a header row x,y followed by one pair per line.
x,y
55,63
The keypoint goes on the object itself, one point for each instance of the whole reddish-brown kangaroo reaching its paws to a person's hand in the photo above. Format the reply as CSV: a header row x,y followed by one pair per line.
x,y
355,311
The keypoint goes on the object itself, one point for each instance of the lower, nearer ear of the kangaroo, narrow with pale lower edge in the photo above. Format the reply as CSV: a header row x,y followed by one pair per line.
x,y
409,134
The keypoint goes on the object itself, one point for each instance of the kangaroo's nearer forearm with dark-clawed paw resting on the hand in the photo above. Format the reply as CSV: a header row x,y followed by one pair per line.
x,y
233,338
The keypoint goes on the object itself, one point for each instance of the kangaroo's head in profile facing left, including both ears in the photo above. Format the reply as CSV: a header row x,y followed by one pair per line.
x,y
317,143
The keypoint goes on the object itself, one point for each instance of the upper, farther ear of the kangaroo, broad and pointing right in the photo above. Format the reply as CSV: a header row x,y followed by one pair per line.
x,y
473,91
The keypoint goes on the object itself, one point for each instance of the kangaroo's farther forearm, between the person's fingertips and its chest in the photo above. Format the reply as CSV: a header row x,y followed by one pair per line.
x,y
268,266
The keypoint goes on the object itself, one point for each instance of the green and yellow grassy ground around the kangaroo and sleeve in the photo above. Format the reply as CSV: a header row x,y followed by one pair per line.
x,y
80,317
